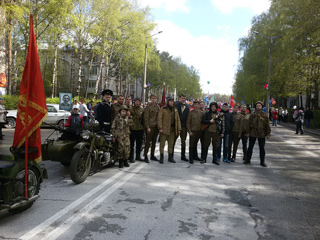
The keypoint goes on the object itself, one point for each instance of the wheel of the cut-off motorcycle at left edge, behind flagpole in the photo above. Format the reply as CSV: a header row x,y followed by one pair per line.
x,y
18,188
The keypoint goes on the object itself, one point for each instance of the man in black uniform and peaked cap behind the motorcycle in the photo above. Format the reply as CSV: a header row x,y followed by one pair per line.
x,y
104,111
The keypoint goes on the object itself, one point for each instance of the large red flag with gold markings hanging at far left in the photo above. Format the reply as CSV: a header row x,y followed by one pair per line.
x,y
32,109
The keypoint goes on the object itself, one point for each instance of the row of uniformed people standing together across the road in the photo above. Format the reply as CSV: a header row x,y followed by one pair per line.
x,y
129,124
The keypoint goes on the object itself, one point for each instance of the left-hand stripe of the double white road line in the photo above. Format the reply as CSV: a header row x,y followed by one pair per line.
x,y
43,226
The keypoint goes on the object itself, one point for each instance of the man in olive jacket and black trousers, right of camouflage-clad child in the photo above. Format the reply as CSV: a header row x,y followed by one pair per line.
x,y
136,135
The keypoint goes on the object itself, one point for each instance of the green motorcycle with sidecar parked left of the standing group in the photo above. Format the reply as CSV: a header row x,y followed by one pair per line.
x,y
92,149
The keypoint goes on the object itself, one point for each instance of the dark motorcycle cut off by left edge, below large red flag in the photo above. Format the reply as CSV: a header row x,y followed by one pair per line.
x,y
12,180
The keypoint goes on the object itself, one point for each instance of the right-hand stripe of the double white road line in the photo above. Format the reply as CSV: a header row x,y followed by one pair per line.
x,y
85,211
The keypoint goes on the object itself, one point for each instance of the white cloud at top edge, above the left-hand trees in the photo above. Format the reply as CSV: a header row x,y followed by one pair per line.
x,y
168,5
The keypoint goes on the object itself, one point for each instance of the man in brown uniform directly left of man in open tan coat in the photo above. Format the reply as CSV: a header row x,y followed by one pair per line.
x,y
150,124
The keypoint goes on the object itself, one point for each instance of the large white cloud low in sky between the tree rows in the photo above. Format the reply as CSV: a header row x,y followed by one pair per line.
x,y
216,59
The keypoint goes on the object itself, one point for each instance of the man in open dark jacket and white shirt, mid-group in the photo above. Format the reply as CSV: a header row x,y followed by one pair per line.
x,y
183,110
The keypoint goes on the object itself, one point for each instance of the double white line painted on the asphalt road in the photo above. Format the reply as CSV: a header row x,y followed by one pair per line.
x,y
57,231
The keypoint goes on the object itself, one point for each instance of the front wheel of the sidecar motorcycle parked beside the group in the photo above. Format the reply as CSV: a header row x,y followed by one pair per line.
x,y
80,166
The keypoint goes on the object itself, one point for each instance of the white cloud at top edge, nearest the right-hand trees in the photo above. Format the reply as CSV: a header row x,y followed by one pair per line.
x,y
227,6
